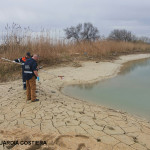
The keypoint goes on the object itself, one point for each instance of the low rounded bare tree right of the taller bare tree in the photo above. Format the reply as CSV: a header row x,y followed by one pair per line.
x,y
121,35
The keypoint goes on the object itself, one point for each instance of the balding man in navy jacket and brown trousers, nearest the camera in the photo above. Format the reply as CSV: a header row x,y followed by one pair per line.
x,y
31,74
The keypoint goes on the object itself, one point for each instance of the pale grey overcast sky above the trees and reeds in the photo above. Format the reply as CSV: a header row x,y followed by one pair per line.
x,y
133,15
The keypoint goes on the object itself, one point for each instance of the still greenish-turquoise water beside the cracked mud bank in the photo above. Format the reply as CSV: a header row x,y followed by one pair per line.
x,y
129,91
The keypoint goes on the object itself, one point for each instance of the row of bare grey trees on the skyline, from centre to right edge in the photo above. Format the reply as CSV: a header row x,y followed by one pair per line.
x,y
88,32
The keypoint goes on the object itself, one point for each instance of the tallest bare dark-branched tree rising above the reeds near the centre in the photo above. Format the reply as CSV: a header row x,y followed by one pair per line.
x,y
86,32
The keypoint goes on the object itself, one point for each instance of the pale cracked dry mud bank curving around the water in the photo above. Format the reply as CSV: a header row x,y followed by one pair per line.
x,y
73,123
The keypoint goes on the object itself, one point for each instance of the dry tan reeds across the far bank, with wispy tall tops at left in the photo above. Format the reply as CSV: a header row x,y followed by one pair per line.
x,y
16,41
